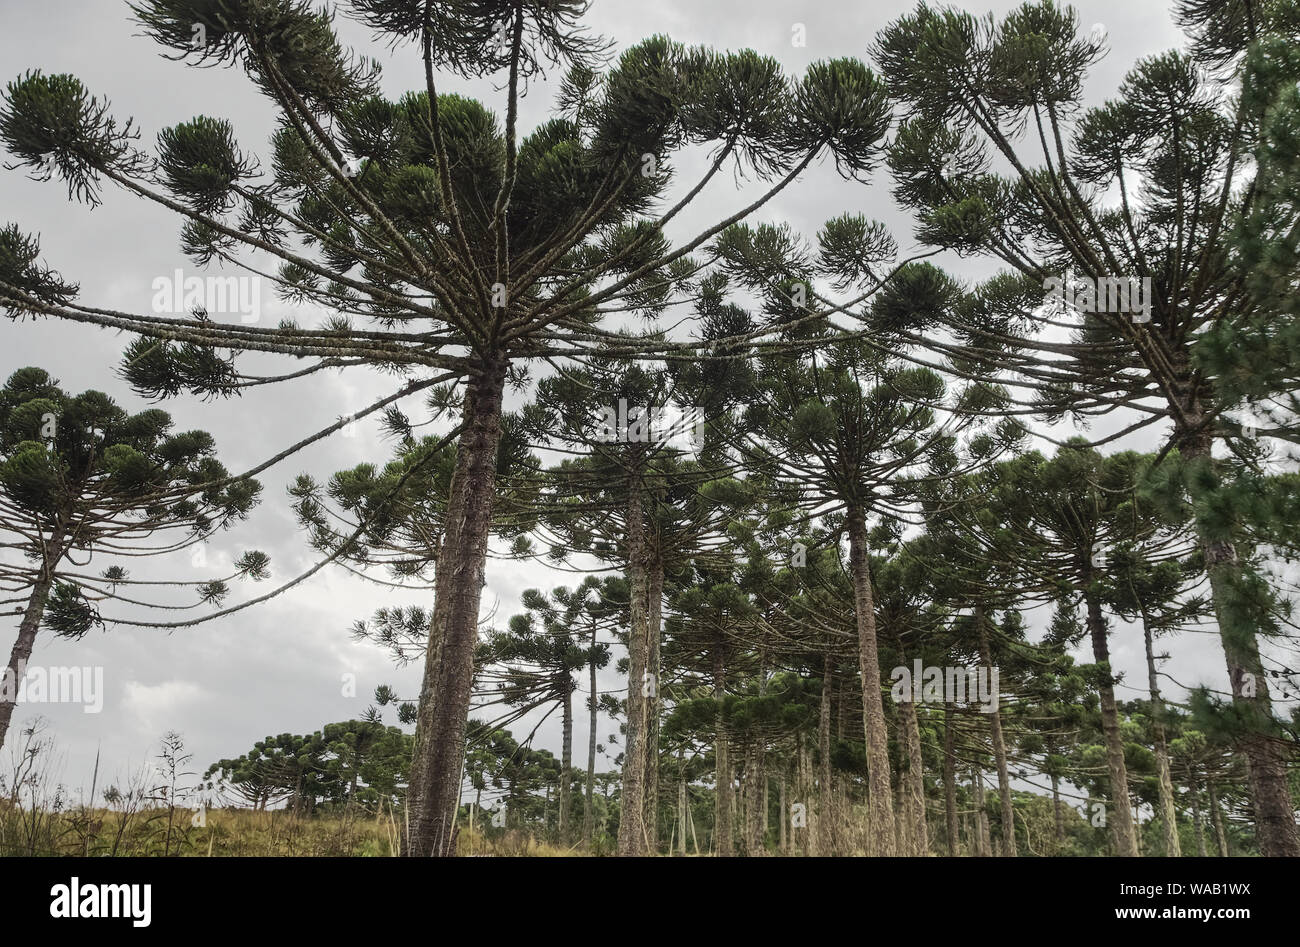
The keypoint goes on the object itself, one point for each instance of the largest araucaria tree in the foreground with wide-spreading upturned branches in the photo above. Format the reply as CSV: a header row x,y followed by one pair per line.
x,y
465,248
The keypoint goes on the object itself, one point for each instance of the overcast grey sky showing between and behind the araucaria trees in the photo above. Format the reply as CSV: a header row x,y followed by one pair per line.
x,y
281,667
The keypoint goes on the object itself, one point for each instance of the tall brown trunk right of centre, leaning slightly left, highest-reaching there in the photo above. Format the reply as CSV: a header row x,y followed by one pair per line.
x,y
881,799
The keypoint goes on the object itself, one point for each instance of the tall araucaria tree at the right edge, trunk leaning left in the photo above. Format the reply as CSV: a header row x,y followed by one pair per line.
x,y
1129,215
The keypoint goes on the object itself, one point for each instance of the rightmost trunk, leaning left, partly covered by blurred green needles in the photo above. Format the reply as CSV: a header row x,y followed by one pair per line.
x,y
1266,766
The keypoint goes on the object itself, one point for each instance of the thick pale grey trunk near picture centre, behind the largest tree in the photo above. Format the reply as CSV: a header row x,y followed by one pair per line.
x,y
632,832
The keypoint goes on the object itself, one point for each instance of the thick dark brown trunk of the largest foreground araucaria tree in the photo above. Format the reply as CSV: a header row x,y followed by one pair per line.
x,y
449,669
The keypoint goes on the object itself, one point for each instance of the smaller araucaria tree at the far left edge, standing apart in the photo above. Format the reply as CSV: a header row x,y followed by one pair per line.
x,y
84,482
